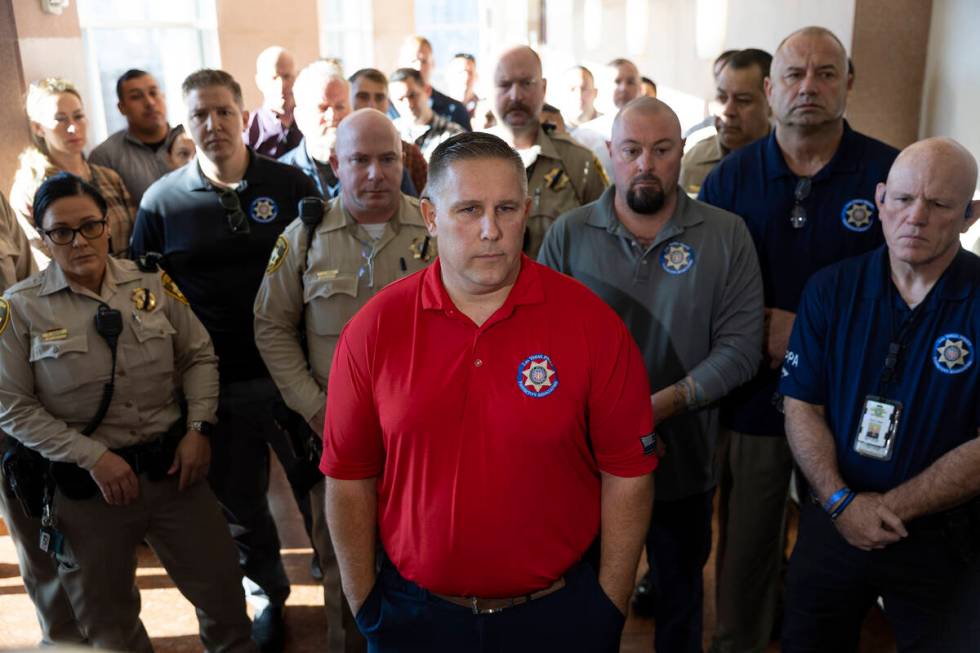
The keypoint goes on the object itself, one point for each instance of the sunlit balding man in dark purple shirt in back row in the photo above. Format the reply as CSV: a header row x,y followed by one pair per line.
x,y
271,130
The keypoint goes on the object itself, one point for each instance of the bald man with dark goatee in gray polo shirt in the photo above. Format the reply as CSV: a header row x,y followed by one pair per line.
x,y
685,278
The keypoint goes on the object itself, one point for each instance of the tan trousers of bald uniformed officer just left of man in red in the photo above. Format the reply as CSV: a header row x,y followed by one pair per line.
x,y
343,636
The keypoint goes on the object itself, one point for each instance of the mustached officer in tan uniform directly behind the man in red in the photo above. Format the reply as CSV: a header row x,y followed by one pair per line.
x,y
562,175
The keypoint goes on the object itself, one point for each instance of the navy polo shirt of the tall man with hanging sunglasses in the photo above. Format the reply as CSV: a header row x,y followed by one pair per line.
x,y
755,183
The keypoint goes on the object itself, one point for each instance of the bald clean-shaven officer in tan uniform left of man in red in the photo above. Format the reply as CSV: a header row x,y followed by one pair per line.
x,y
320,273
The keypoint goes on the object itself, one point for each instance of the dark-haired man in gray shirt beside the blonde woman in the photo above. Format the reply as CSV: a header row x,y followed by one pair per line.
x,y
139,153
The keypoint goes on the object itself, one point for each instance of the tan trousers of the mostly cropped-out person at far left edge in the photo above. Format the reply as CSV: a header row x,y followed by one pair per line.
x,y
40,574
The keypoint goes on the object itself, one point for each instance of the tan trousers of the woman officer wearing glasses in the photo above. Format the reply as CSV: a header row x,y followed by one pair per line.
x,y
190,537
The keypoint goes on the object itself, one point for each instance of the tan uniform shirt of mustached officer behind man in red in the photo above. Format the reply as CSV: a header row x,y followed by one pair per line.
x,y
564,176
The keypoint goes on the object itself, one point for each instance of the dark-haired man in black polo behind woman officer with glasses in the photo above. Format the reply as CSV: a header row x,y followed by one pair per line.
x,y
215,222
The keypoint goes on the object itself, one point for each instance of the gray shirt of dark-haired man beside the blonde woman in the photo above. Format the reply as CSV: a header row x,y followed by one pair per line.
x,y
138,164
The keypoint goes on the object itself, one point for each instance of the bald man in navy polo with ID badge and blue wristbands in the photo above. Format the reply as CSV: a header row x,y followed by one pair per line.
x,y
882,416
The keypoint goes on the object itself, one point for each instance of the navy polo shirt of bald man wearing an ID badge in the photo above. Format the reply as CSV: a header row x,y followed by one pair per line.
x,y
849,314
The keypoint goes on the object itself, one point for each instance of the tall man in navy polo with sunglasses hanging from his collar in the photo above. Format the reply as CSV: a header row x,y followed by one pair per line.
x,y
806,193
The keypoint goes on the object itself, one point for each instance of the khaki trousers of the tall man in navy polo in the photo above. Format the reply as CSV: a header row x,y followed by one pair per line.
x,y
753,488
